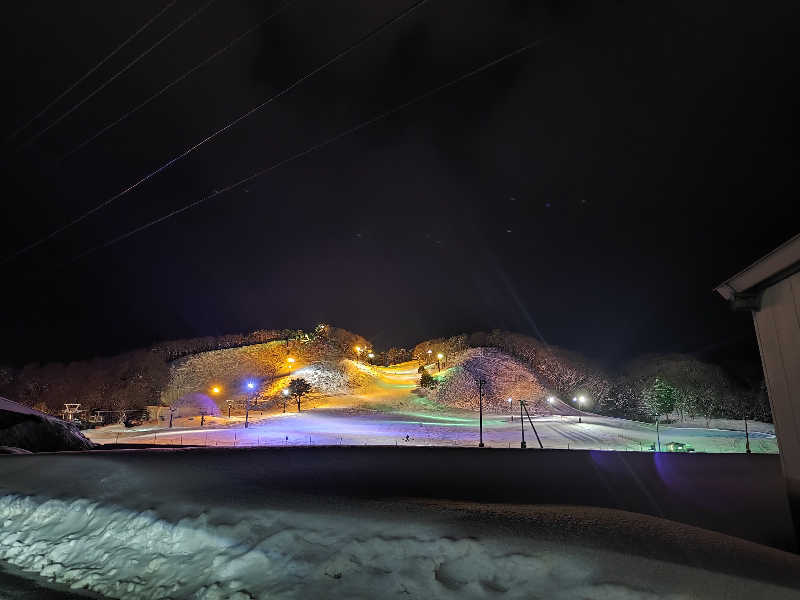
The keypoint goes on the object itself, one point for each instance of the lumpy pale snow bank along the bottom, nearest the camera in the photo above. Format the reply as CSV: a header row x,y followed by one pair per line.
x,y
214,555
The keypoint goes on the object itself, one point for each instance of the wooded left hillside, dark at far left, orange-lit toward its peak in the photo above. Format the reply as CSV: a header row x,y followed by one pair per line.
x,y
149,376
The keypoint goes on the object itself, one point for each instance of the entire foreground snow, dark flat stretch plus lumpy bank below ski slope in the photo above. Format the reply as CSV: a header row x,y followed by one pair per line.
x,y
329,523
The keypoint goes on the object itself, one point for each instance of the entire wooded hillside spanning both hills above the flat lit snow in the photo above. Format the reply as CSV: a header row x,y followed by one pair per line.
x,y
184,373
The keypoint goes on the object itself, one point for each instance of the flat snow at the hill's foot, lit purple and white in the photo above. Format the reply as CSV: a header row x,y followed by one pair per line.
x,y
426,426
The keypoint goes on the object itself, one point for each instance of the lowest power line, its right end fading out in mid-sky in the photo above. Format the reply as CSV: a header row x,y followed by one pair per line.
x,y
314,148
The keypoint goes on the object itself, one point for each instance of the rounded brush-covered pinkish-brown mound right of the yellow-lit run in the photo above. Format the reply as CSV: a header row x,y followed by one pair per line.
x,y
505,378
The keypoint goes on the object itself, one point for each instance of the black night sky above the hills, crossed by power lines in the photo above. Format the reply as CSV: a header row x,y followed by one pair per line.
x,y
593,189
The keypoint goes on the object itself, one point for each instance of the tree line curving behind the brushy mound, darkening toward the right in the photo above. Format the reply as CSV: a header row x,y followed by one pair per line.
x,y
649,387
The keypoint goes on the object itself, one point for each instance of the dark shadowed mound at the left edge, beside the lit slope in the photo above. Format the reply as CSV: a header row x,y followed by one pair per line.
x,y
22,427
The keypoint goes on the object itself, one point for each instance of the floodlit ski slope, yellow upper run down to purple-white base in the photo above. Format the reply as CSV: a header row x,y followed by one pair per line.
x,y
383,406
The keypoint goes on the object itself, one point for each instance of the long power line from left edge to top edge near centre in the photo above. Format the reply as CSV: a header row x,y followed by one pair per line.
x,y
218,132
